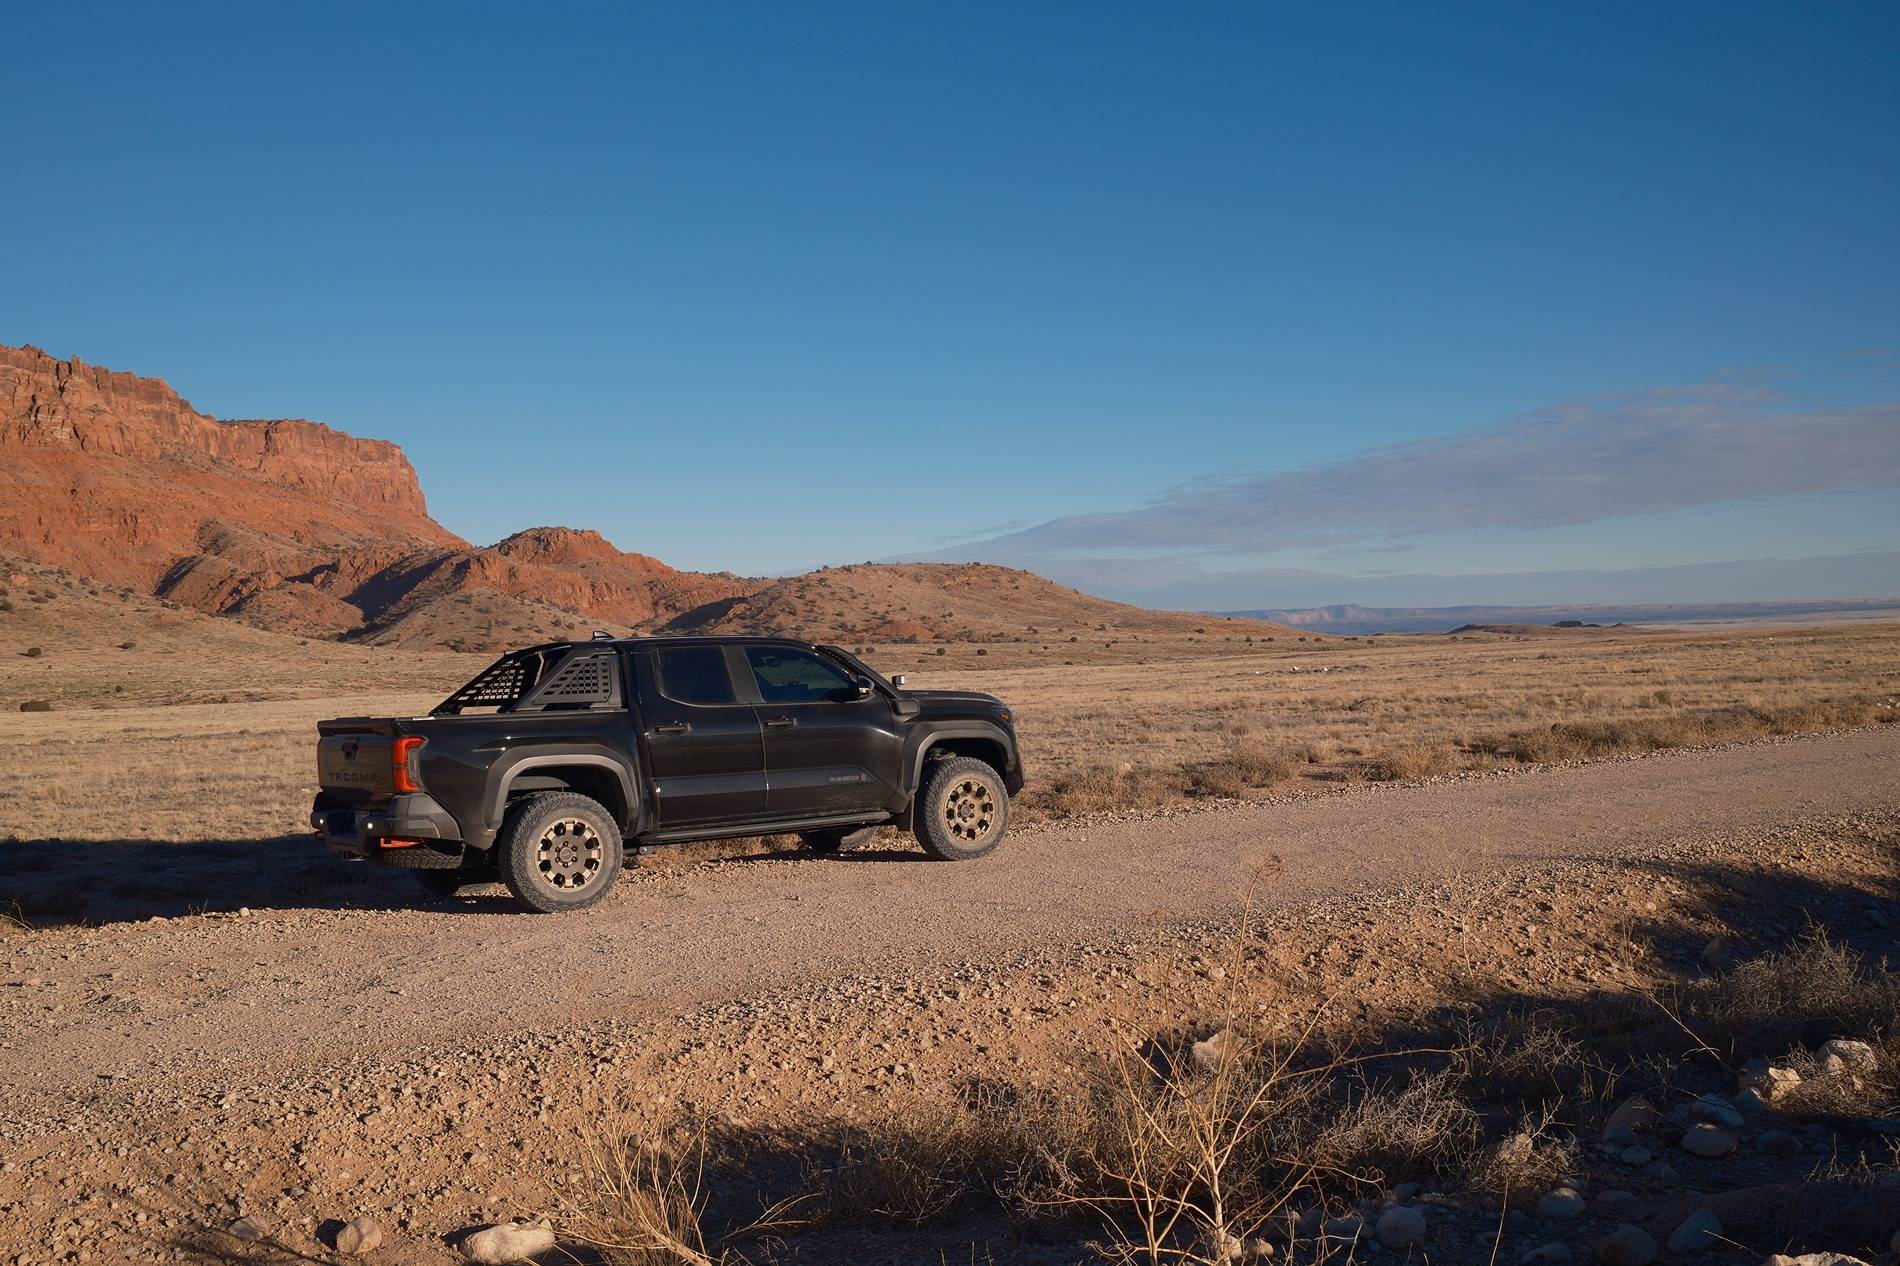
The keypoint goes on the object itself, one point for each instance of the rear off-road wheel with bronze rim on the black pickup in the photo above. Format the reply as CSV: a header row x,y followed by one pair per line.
x,y
560,853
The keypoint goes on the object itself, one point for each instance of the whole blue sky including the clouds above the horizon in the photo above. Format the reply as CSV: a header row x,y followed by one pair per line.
x,y
761,288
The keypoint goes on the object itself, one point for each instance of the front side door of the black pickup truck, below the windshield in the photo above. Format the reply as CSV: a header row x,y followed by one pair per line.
x,y
827,750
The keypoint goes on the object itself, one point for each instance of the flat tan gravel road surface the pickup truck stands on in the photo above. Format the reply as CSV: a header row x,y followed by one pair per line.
x,y
292,989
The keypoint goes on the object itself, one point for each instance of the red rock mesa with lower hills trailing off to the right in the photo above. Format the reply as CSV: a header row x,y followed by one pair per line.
x,y
297,527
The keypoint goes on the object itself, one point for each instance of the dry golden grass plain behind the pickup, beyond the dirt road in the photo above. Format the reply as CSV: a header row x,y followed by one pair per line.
x,y
212,714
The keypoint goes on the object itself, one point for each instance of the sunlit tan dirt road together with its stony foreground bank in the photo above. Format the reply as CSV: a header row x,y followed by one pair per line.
x,y
427,1062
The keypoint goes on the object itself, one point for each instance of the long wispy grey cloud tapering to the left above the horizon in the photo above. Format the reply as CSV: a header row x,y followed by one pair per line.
x,y
1570,465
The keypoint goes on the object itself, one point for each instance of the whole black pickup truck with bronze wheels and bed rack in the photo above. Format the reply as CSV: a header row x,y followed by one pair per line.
x,y
558,759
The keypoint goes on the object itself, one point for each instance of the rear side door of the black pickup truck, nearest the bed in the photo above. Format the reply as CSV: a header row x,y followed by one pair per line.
x,y
704,748
